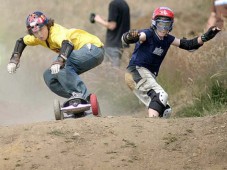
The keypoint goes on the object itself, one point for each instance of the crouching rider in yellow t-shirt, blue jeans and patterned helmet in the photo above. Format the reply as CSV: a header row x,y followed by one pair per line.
x,y
78,51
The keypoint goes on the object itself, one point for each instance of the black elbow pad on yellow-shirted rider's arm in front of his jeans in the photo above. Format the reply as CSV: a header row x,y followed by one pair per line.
x,y
66,49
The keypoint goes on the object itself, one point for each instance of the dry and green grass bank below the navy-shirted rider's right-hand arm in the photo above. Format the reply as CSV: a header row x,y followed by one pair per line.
x,y
201,75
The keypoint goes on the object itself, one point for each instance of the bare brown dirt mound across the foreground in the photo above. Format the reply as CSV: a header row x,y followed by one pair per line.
x,y
117,143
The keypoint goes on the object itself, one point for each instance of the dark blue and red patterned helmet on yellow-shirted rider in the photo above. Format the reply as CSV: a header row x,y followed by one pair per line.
x,y
35,21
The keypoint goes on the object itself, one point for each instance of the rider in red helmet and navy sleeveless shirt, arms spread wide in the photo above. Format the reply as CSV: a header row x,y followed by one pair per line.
x,y
150,50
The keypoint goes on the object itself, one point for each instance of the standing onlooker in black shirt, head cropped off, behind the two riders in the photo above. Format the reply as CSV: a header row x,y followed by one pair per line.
x,y
118,23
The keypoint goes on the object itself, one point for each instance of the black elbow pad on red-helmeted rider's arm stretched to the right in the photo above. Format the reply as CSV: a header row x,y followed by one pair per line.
x,y
190,44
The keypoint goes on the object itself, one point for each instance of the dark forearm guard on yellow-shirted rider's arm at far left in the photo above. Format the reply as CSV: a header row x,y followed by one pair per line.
x,y
17,52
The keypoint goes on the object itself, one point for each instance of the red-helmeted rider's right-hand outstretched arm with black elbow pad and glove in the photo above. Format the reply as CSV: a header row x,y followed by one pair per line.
x,y
197,42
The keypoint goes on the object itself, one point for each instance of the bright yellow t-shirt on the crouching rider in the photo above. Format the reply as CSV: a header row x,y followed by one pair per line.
x,y
58,33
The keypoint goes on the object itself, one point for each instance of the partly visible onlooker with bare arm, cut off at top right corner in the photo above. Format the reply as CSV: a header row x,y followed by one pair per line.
x,y
218,14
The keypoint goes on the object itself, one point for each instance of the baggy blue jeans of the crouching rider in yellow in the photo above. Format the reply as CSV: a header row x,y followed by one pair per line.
x,y
67,80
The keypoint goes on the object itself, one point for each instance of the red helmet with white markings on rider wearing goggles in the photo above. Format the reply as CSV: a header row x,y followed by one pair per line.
x,y
164,16
